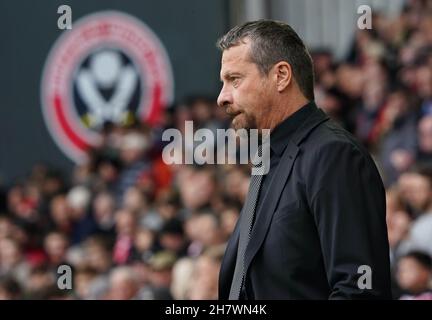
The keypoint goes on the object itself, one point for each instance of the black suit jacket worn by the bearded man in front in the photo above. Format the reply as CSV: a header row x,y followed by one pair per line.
x,y
322,217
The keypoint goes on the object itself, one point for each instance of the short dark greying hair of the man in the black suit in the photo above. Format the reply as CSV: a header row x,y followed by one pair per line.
x,y
272,42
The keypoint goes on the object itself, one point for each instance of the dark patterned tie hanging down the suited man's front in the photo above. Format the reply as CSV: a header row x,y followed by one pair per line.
x,y
246,220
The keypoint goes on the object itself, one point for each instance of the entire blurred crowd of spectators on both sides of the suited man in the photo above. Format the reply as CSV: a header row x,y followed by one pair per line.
x,y
133,227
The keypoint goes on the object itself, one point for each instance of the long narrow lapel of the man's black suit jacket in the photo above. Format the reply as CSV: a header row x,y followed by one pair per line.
x,y
273,194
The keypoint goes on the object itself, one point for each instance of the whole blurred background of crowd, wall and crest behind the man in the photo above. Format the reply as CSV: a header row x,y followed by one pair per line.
x,y
88,188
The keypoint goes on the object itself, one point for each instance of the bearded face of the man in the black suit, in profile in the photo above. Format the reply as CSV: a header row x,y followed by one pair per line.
x,y
246,93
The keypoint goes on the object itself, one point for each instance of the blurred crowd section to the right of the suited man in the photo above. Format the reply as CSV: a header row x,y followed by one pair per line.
x,y
382,93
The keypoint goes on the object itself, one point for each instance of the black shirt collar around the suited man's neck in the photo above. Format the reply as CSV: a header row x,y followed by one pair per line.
x,y
281,134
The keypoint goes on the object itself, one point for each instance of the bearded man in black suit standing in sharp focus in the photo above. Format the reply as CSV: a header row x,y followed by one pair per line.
x,y
316,226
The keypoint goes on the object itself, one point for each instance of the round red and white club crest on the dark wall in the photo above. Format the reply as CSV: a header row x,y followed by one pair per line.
x,y
109,68
